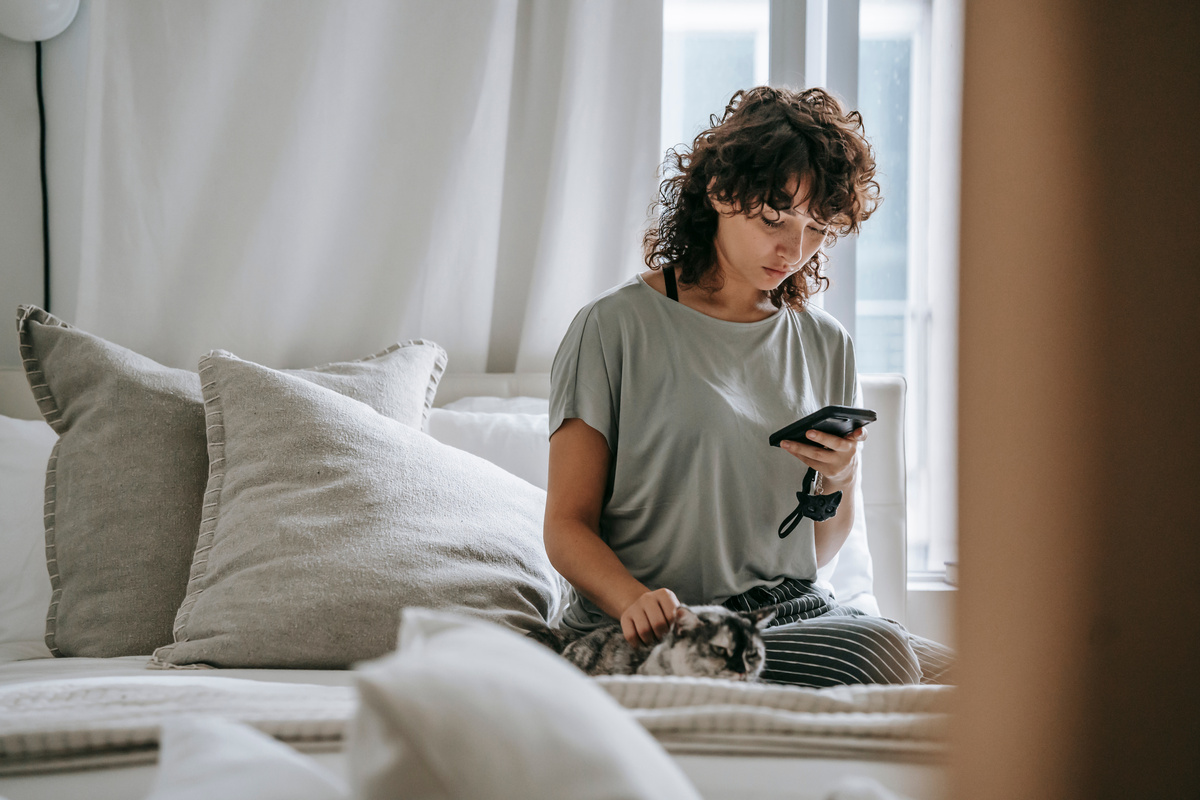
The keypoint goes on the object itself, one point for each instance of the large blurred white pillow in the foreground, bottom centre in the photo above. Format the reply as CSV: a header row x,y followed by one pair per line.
x,y
465,709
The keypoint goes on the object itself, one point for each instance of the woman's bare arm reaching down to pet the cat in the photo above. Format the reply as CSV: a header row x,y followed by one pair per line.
x,y
579,476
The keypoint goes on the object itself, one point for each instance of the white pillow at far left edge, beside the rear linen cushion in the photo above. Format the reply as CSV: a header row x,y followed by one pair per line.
x,y
26,447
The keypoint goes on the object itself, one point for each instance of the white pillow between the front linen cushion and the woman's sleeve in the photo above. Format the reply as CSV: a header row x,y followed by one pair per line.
x,y
514,442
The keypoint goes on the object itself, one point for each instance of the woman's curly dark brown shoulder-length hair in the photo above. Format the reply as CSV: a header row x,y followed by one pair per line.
x,y
766,140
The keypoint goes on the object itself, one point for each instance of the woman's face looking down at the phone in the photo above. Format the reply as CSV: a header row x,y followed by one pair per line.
x,y
763,251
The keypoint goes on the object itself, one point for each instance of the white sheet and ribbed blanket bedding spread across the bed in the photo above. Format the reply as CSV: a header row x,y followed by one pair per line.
x,y
734,741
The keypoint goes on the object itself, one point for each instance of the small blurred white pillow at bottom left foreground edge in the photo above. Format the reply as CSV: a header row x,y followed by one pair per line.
x,y
202,757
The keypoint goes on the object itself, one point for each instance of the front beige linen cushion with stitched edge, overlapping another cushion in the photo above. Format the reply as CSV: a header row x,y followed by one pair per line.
x,y
325,519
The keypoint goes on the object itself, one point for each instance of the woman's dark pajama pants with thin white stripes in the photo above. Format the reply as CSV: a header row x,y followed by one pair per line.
x,y
815,642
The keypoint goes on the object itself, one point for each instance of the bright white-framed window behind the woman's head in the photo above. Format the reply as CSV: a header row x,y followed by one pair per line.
x,y
901,315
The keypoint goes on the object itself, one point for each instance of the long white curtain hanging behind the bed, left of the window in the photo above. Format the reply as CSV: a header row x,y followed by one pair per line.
x,y
310,182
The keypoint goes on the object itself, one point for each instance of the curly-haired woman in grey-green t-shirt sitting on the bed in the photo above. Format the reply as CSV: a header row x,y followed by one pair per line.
x,y
663,489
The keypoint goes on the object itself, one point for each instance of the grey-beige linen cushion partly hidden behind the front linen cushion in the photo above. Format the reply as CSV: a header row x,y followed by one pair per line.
x,y
125,483
